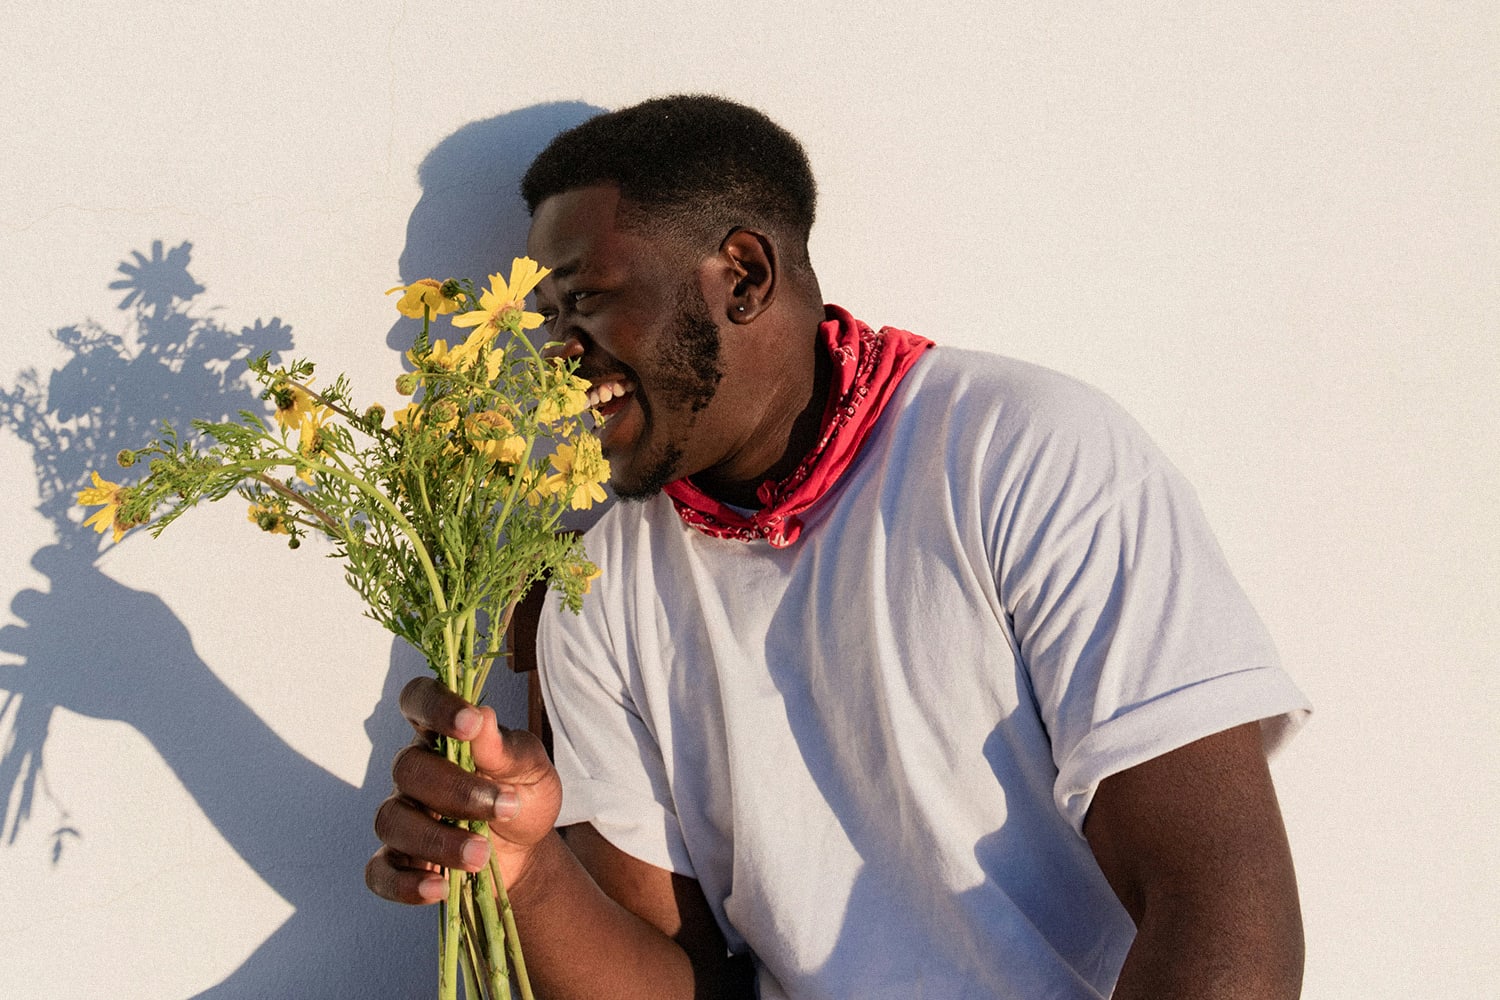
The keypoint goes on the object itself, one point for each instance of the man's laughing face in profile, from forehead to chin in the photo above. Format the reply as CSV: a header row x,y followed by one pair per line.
x,y
629,307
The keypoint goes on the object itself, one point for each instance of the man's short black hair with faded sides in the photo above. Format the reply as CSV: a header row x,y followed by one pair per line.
x,y
691,167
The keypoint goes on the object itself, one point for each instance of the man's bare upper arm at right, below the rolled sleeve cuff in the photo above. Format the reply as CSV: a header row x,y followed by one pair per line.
x,y
1195,848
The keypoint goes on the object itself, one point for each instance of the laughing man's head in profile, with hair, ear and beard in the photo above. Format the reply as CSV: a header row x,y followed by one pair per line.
x,y
677,238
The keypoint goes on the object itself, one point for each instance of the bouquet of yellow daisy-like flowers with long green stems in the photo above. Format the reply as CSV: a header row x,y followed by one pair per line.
x,y
445,515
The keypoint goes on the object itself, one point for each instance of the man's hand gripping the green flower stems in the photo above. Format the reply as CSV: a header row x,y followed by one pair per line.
x,y
514,788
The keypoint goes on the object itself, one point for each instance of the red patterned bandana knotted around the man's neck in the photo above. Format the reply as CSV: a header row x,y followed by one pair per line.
x,y
868,368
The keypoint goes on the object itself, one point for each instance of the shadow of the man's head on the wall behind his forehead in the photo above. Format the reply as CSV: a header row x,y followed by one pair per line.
x,y
472,220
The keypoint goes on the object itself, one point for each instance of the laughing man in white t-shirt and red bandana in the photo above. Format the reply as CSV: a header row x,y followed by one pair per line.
x,y
913,674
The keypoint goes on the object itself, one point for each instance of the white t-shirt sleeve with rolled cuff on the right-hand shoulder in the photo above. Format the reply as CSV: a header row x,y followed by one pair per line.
x,y
1135,635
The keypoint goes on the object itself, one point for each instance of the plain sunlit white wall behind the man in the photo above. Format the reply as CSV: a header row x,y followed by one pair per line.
x,y
1270,230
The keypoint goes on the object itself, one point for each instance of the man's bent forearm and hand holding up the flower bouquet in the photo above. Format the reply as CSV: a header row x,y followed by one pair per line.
x,y
595,921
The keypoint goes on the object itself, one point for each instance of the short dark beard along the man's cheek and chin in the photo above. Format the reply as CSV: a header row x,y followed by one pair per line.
x,y
688,380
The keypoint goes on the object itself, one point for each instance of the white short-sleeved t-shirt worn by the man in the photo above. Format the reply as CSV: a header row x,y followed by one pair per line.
x,y
875,749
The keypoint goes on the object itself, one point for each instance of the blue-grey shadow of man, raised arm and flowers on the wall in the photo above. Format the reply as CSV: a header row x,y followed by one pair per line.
x,y
302,830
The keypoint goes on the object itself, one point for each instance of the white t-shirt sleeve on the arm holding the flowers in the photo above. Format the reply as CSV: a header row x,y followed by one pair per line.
x,y
607,755
